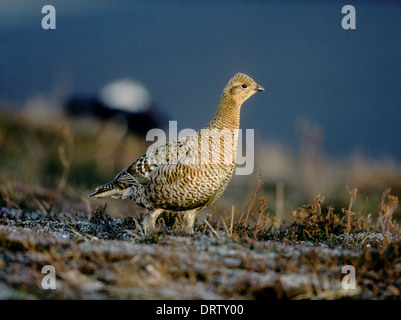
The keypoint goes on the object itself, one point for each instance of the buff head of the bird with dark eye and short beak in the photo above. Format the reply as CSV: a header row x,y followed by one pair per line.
x,y
241,87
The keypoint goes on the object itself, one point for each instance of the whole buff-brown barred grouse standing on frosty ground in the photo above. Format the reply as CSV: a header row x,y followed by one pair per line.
x,y
188,174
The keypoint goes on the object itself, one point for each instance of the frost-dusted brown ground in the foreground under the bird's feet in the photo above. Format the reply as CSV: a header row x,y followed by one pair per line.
x,y
98,257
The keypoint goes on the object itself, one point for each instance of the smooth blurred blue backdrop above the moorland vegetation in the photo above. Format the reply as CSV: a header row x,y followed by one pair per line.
x,y
347,83
